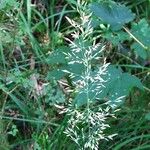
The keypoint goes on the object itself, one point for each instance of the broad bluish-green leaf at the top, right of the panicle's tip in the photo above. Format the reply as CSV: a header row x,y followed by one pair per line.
x,y
112,13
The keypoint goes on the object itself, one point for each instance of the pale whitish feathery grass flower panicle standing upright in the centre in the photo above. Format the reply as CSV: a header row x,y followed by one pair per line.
x,y
87,122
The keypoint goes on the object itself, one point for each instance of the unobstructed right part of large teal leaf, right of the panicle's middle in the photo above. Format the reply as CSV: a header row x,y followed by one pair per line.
x,y
119,84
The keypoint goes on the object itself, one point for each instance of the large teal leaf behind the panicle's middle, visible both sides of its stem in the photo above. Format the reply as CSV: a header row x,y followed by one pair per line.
x,y
116,87
